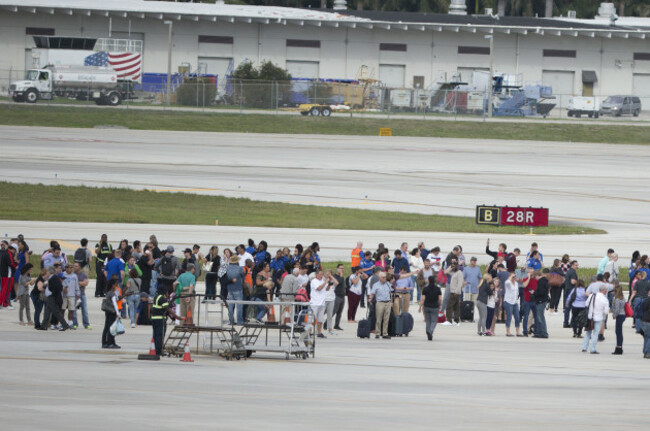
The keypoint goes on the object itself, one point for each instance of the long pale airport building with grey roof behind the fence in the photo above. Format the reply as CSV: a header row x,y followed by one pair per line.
x,y
603,56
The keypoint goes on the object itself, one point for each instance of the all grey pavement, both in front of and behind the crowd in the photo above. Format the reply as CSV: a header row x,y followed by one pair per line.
x,y
64,380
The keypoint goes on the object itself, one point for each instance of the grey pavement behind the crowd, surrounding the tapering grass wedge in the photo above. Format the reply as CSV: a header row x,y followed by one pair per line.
x,y
594,185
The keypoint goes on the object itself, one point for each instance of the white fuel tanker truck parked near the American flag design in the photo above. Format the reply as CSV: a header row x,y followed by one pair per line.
x,y
100,84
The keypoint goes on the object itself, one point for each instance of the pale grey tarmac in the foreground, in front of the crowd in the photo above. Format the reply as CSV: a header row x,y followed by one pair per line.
x,y
64,380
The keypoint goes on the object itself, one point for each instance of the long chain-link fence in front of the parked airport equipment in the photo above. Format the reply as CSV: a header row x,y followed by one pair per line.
x,y
362,98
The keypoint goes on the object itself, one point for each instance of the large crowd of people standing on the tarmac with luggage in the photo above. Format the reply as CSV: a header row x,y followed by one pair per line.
x,y
517,290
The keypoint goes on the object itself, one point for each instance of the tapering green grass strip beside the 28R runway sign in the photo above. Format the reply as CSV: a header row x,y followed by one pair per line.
x,y
113,205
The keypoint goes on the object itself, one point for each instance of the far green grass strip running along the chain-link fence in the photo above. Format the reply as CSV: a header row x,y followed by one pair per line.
x,y
42,115
